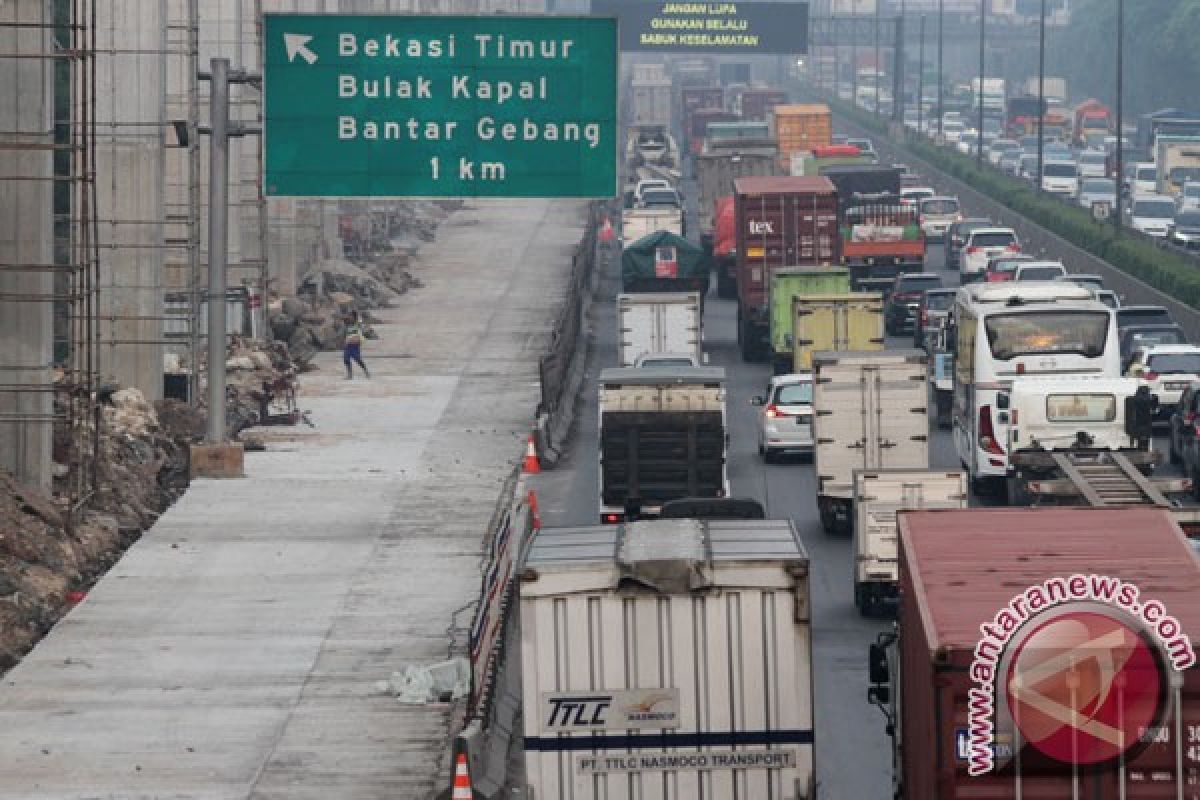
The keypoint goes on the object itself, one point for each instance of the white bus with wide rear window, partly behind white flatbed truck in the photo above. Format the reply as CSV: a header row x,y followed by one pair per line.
x,y
1005,330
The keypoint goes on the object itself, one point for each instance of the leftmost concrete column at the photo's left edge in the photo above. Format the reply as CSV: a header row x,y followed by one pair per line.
x,y
27,240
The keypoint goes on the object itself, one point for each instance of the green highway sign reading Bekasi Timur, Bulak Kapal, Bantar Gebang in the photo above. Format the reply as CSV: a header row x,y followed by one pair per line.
x,y
433,106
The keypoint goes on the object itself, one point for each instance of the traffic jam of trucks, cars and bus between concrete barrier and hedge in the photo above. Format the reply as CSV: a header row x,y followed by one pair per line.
x,y
873,486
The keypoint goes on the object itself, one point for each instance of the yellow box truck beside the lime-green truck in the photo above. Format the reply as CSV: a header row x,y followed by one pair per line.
x,y
838,322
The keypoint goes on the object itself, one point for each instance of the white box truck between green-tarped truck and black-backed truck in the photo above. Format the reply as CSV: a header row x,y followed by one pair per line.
x,y
659,322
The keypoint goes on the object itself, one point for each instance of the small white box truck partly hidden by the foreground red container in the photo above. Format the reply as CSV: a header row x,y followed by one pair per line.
x,y
879,496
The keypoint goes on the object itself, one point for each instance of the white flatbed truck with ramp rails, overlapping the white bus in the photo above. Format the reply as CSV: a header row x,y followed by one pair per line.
x,y
1083,441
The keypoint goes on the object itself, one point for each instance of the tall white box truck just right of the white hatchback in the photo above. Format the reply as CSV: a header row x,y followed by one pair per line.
x,y
869,413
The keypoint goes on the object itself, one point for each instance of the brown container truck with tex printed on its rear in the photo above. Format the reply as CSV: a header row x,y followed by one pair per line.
x,y
781,222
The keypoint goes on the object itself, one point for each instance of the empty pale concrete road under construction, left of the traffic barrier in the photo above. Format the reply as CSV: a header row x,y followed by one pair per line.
x,y
233,652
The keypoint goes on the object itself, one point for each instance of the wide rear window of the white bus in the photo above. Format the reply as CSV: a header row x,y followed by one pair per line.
x,y
1047,332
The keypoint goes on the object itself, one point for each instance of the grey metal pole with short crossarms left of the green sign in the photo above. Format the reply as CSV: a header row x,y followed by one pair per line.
x,y
220,131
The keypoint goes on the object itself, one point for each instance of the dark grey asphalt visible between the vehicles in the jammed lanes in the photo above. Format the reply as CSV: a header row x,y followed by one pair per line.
x,y
854,755
